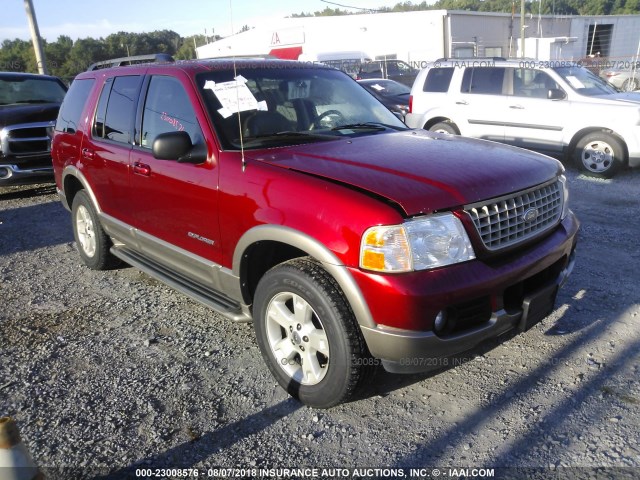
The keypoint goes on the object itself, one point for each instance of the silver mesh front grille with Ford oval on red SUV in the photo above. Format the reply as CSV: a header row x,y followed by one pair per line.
x,y
516,218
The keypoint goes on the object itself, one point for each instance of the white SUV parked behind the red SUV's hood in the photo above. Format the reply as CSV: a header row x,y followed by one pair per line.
x,y
559,108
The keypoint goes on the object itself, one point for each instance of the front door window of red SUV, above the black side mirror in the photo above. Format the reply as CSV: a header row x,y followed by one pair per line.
x,y
168,109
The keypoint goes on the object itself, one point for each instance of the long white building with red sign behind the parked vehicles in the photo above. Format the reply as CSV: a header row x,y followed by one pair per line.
x,y
417,37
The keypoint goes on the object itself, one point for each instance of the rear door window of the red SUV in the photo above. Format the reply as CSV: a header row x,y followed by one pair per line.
x,y
116,109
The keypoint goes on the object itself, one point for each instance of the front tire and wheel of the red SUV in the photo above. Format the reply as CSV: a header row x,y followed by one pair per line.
x,y
334,373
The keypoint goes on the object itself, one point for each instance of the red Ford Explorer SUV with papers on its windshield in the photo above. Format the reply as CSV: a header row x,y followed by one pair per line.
x,y
284,194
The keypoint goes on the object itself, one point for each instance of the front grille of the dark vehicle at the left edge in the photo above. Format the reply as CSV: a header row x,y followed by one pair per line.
x,y
26,140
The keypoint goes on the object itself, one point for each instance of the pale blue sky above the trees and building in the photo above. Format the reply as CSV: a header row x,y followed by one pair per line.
x,y
91,18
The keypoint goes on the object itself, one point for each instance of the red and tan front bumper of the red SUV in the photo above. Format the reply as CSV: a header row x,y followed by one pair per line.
x,y
411,350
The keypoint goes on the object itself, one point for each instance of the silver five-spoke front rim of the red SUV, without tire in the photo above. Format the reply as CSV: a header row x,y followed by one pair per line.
x,y
297,338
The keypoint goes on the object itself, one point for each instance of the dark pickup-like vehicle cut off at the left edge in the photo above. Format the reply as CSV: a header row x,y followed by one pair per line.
x,y
29,105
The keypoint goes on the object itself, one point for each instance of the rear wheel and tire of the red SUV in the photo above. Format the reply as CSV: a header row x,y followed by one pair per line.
x,y
92,242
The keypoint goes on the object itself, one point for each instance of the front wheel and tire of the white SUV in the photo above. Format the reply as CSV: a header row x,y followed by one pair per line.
x,y
599,154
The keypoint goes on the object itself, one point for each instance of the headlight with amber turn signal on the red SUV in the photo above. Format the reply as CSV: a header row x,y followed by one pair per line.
x,y
420,244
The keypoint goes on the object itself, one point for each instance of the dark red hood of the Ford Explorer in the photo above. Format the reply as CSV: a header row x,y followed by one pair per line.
x,y
420,171
